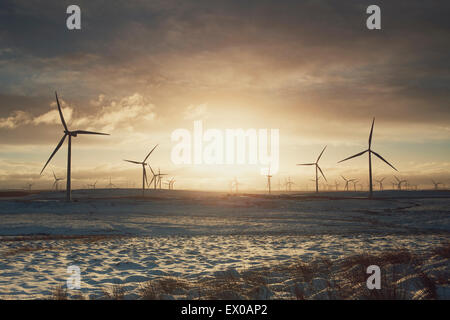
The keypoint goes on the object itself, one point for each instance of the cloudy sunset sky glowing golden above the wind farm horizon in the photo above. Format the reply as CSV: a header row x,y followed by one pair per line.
x,y
140,70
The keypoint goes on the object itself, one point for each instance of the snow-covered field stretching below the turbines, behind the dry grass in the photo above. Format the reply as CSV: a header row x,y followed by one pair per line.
x,y
116,237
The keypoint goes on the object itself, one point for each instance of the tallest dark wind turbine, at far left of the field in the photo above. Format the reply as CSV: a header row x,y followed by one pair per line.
x,y
70,134
